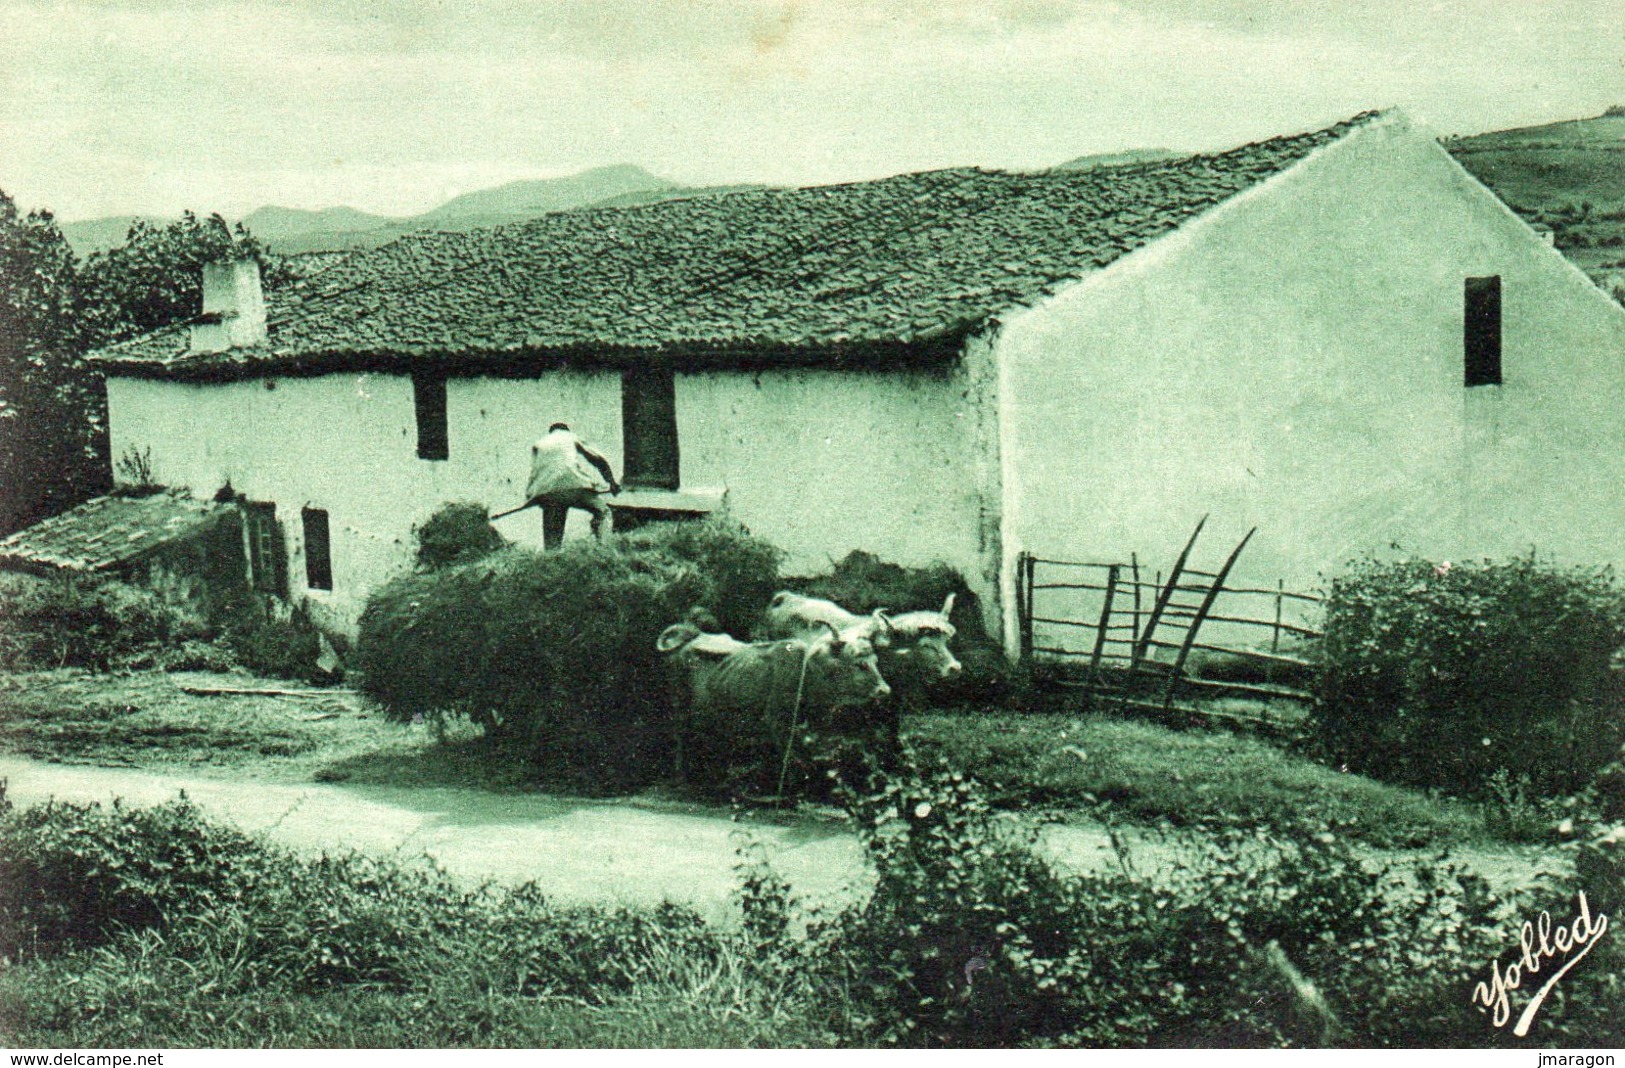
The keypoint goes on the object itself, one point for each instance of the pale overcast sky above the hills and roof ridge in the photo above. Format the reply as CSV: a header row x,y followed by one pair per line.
x,y
152,106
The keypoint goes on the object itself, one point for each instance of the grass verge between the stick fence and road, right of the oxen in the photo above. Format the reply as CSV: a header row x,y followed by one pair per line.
x,y
1181,778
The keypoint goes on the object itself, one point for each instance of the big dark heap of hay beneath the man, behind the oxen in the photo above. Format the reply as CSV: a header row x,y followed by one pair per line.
x,y
555,653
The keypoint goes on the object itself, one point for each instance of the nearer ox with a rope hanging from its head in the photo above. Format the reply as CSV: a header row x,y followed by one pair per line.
x,y
753,698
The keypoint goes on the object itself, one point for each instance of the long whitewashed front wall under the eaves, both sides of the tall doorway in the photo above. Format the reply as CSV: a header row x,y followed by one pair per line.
x,y
817,462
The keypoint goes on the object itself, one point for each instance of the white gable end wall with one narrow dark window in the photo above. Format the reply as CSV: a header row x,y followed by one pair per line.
x,y
1294,362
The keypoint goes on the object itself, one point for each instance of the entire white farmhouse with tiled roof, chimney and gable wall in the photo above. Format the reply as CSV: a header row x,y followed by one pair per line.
x,y
1337,337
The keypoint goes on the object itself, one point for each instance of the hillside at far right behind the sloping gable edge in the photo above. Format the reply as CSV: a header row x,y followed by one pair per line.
x,y
1567,178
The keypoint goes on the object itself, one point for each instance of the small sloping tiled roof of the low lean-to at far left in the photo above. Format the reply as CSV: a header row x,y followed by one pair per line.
x,y
108,532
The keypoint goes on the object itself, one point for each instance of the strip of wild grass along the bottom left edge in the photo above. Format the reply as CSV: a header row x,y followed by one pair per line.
x,y
141,996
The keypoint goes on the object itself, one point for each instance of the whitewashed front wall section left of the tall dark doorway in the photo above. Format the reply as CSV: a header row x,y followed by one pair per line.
x,y
349,445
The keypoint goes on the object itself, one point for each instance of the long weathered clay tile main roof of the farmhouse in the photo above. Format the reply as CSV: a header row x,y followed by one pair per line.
x,y
836,272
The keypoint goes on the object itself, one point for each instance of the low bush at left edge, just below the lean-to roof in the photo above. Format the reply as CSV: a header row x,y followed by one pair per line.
x,y
89,623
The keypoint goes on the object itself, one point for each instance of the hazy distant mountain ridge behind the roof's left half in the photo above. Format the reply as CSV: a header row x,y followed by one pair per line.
x,y
293,232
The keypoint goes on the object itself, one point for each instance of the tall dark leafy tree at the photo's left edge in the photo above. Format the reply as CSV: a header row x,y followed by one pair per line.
x,y
53,406
